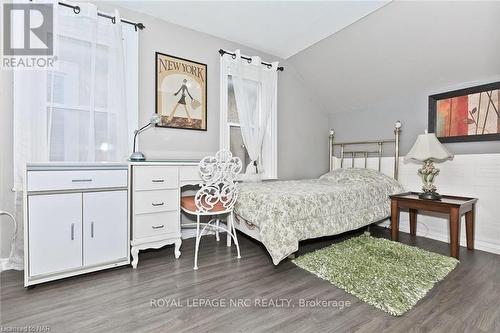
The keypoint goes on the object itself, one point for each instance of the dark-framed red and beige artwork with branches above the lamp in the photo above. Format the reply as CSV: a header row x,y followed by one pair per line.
x,y
470,114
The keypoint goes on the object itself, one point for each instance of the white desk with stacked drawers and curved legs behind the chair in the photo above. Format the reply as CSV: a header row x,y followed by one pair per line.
x,y
155,188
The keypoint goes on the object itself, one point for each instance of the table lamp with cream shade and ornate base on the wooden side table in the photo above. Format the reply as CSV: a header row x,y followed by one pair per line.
x,y
428,149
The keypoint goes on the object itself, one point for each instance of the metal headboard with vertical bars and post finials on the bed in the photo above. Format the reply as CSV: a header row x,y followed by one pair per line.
x,y
376,145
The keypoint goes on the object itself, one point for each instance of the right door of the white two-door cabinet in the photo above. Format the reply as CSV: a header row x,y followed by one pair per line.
x,y
104,227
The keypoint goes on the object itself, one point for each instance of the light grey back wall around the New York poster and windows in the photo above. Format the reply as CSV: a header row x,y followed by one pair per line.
x,y
302,122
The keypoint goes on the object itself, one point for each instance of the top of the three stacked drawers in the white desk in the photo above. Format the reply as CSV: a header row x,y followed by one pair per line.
x,y
155,177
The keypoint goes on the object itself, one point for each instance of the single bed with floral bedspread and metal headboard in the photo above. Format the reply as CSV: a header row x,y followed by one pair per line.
x,y
280,214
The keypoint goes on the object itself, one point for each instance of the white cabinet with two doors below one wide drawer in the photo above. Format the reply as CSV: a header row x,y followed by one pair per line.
x,y
75,219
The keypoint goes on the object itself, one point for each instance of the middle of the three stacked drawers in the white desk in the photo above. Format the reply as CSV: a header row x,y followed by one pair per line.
x,y
155,201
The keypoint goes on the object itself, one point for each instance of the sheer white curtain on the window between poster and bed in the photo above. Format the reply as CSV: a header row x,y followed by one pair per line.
x,y
255,90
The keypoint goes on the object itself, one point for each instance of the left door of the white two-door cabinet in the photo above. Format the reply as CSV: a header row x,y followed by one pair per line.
x,y
54,232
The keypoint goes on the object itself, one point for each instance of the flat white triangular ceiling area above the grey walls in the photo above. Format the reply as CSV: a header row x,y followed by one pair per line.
x,y
281,28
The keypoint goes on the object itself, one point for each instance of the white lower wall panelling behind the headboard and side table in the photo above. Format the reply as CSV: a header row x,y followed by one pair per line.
x,y
469,175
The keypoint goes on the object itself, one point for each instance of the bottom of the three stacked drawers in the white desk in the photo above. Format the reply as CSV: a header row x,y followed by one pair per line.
x,y
147,225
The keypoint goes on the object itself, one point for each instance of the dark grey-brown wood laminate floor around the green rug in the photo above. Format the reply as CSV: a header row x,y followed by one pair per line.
x,y
119,300
